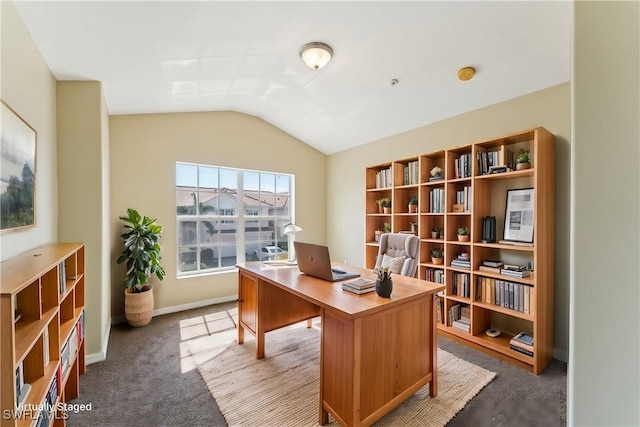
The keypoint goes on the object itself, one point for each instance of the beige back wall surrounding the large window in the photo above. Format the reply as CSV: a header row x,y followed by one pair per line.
x,y
144,149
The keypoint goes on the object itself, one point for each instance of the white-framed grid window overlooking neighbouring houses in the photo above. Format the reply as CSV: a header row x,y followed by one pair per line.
x,y
225,216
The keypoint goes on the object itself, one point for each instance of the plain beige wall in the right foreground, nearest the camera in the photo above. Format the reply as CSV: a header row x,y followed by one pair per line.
x,y
604,365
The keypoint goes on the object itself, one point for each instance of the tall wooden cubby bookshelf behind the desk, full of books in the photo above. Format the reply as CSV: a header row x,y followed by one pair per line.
x,y
486,197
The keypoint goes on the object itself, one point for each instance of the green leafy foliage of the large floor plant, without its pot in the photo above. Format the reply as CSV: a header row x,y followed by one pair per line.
x,y
141,250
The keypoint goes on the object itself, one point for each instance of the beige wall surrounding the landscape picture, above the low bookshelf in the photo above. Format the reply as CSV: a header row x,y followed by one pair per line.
x,y
29,88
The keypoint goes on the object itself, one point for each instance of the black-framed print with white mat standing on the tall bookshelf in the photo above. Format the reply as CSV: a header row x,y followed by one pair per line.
x,y
519,215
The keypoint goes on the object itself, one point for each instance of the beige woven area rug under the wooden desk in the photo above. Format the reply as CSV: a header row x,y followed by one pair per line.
x,y
282,389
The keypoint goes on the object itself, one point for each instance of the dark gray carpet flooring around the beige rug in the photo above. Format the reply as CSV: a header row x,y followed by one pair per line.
x,y
149,379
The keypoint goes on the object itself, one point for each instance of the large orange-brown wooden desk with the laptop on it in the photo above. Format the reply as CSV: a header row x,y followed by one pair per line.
x,y
374,353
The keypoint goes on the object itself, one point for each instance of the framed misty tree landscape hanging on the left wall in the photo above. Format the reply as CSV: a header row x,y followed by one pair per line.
x,y
17,171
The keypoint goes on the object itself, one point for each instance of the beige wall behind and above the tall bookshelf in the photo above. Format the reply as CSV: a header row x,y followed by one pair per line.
x,y
549,108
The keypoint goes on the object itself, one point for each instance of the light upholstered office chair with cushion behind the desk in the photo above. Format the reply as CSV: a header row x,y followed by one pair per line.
x,y
399,252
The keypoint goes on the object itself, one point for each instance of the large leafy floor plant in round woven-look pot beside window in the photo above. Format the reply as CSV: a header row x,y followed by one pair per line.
x,y
142,256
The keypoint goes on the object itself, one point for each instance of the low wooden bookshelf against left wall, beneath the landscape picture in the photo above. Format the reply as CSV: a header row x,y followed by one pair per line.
x,y
42,296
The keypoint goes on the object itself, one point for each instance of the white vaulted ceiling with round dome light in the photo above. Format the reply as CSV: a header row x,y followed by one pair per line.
x,y
244,56
